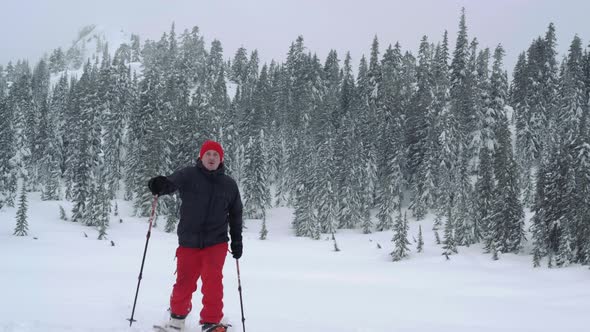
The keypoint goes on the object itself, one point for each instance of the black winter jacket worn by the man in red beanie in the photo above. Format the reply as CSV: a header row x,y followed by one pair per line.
x,y
210,202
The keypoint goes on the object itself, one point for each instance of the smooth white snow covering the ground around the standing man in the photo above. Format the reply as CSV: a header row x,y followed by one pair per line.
x,y
64,281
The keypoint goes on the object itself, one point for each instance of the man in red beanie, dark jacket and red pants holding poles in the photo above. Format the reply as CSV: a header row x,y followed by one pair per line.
x,y
210,202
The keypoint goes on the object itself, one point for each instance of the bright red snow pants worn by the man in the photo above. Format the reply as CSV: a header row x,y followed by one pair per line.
x,y
195,263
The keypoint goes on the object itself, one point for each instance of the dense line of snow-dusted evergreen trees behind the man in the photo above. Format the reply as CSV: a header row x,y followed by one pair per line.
x,y
443,132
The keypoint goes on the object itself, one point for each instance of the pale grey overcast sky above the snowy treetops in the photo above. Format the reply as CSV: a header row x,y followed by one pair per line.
x,y
29,28
